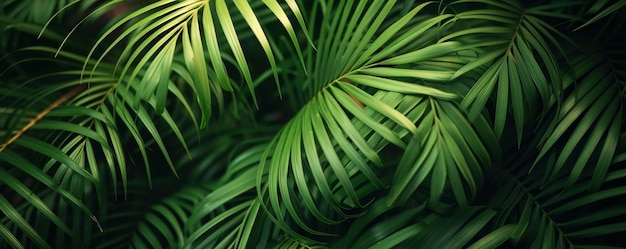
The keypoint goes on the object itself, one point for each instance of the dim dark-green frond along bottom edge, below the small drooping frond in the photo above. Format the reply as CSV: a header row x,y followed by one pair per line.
x,y
406,227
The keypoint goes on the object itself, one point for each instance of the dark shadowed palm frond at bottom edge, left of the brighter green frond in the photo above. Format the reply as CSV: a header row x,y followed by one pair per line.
x,y
124,227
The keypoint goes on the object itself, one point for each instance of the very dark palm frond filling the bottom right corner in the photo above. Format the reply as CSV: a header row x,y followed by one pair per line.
x,y
548,217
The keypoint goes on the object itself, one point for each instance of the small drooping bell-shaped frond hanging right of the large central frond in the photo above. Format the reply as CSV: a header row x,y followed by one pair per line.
x,y
448,152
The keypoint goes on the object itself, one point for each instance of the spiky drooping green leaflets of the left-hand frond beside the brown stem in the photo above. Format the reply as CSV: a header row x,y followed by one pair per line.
x,y
106,100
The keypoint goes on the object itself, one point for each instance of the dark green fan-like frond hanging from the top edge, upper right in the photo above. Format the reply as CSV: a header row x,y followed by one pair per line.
x,y
515,53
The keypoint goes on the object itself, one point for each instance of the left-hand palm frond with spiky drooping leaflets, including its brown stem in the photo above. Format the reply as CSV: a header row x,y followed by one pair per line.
x,y
99,104
